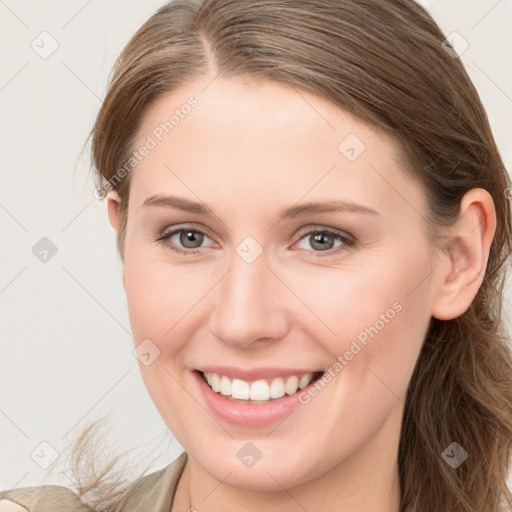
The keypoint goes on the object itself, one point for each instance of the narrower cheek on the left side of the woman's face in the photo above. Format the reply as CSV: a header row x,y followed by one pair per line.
x,y
160,299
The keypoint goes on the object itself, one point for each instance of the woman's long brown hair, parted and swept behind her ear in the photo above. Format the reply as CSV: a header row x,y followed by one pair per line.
x,y
383,61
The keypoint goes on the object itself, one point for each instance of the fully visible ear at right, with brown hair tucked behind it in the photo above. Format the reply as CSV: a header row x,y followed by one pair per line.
x,y
465,257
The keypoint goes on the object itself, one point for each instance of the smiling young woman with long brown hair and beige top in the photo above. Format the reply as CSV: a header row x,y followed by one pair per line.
x,y
315,227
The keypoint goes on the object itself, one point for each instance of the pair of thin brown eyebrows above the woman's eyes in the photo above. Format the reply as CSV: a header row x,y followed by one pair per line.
x,y
287,213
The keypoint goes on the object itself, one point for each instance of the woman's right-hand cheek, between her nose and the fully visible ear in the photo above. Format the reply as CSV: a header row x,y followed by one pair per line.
x,y
376,319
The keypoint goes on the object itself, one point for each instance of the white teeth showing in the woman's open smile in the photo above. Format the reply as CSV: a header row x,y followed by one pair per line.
x,y
260,391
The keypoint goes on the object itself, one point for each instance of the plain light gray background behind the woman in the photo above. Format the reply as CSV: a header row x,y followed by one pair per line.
x,y
66,345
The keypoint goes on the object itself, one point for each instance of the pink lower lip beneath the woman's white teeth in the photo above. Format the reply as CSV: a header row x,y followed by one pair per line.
x,y
253,415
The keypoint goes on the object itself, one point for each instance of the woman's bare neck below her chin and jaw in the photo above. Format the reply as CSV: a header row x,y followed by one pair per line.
x,y
366,480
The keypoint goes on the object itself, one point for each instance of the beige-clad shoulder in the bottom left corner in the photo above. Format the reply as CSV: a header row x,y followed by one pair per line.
x,y
44,498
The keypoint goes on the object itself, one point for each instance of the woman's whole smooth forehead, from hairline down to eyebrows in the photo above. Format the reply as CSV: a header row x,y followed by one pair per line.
x,y
245,137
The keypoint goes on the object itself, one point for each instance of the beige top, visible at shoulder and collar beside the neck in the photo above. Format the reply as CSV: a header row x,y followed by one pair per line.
x,y
153,492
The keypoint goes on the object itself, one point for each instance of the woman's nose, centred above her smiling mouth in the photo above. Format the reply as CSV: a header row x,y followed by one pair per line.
x,y
250,305
